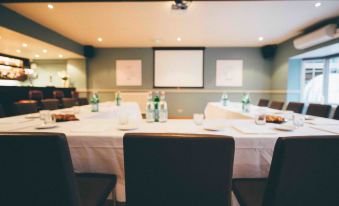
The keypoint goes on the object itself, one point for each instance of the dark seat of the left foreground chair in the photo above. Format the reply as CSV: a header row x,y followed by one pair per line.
x,y
94,188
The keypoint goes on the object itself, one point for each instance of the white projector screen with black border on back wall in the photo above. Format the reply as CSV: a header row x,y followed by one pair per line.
x,y
178,68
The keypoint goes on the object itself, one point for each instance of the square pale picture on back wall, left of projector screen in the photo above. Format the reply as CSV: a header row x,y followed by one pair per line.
x,y
128,73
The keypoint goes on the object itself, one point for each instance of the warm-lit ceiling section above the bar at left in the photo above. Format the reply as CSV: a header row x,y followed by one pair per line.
x,y
12,43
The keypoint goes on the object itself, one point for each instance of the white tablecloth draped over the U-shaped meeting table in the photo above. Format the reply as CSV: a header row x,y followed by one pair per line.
x,y
96,144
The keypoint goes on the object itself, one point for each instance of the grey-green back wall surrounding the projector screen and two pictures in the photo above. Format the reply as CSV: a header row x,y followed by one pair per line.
x,y
184,102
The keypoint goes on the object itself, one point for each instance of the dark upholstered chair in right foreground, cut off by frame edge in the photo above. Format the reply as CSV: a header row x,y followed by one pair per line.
x,y
304,172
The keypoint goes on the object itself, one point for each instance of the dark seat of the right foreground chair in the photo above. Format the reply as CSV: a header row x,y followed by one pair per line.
x,y
249,192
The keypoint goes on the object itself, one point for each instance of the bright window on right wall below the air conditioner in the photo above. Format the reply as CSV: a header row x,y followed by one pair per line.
x,y
320,81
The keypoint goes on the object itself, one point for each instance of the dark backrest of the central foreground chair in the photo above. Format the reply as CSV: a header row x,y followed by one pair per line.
x,y
178,169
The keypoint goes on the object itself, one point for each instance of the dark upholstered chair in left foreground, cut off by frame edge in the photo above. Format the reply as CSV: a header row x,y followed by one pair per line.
x,y
36,169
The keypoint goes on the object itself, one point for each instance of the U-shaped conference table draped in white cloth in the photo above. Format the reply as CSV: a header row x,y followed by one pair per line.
x,y
96,140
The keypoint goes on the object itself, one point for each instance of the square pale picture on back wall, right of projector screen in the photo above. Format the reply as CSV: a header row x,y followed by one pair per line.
x,y
229,73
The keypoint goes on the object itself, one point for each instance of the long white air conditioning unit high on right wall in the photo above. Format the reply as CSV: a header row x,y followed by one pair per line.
x,y
316,37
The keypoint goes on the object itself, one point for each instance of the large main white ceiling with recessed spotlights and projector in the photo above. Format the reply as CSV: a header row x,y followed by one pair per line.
x,y
215,24
